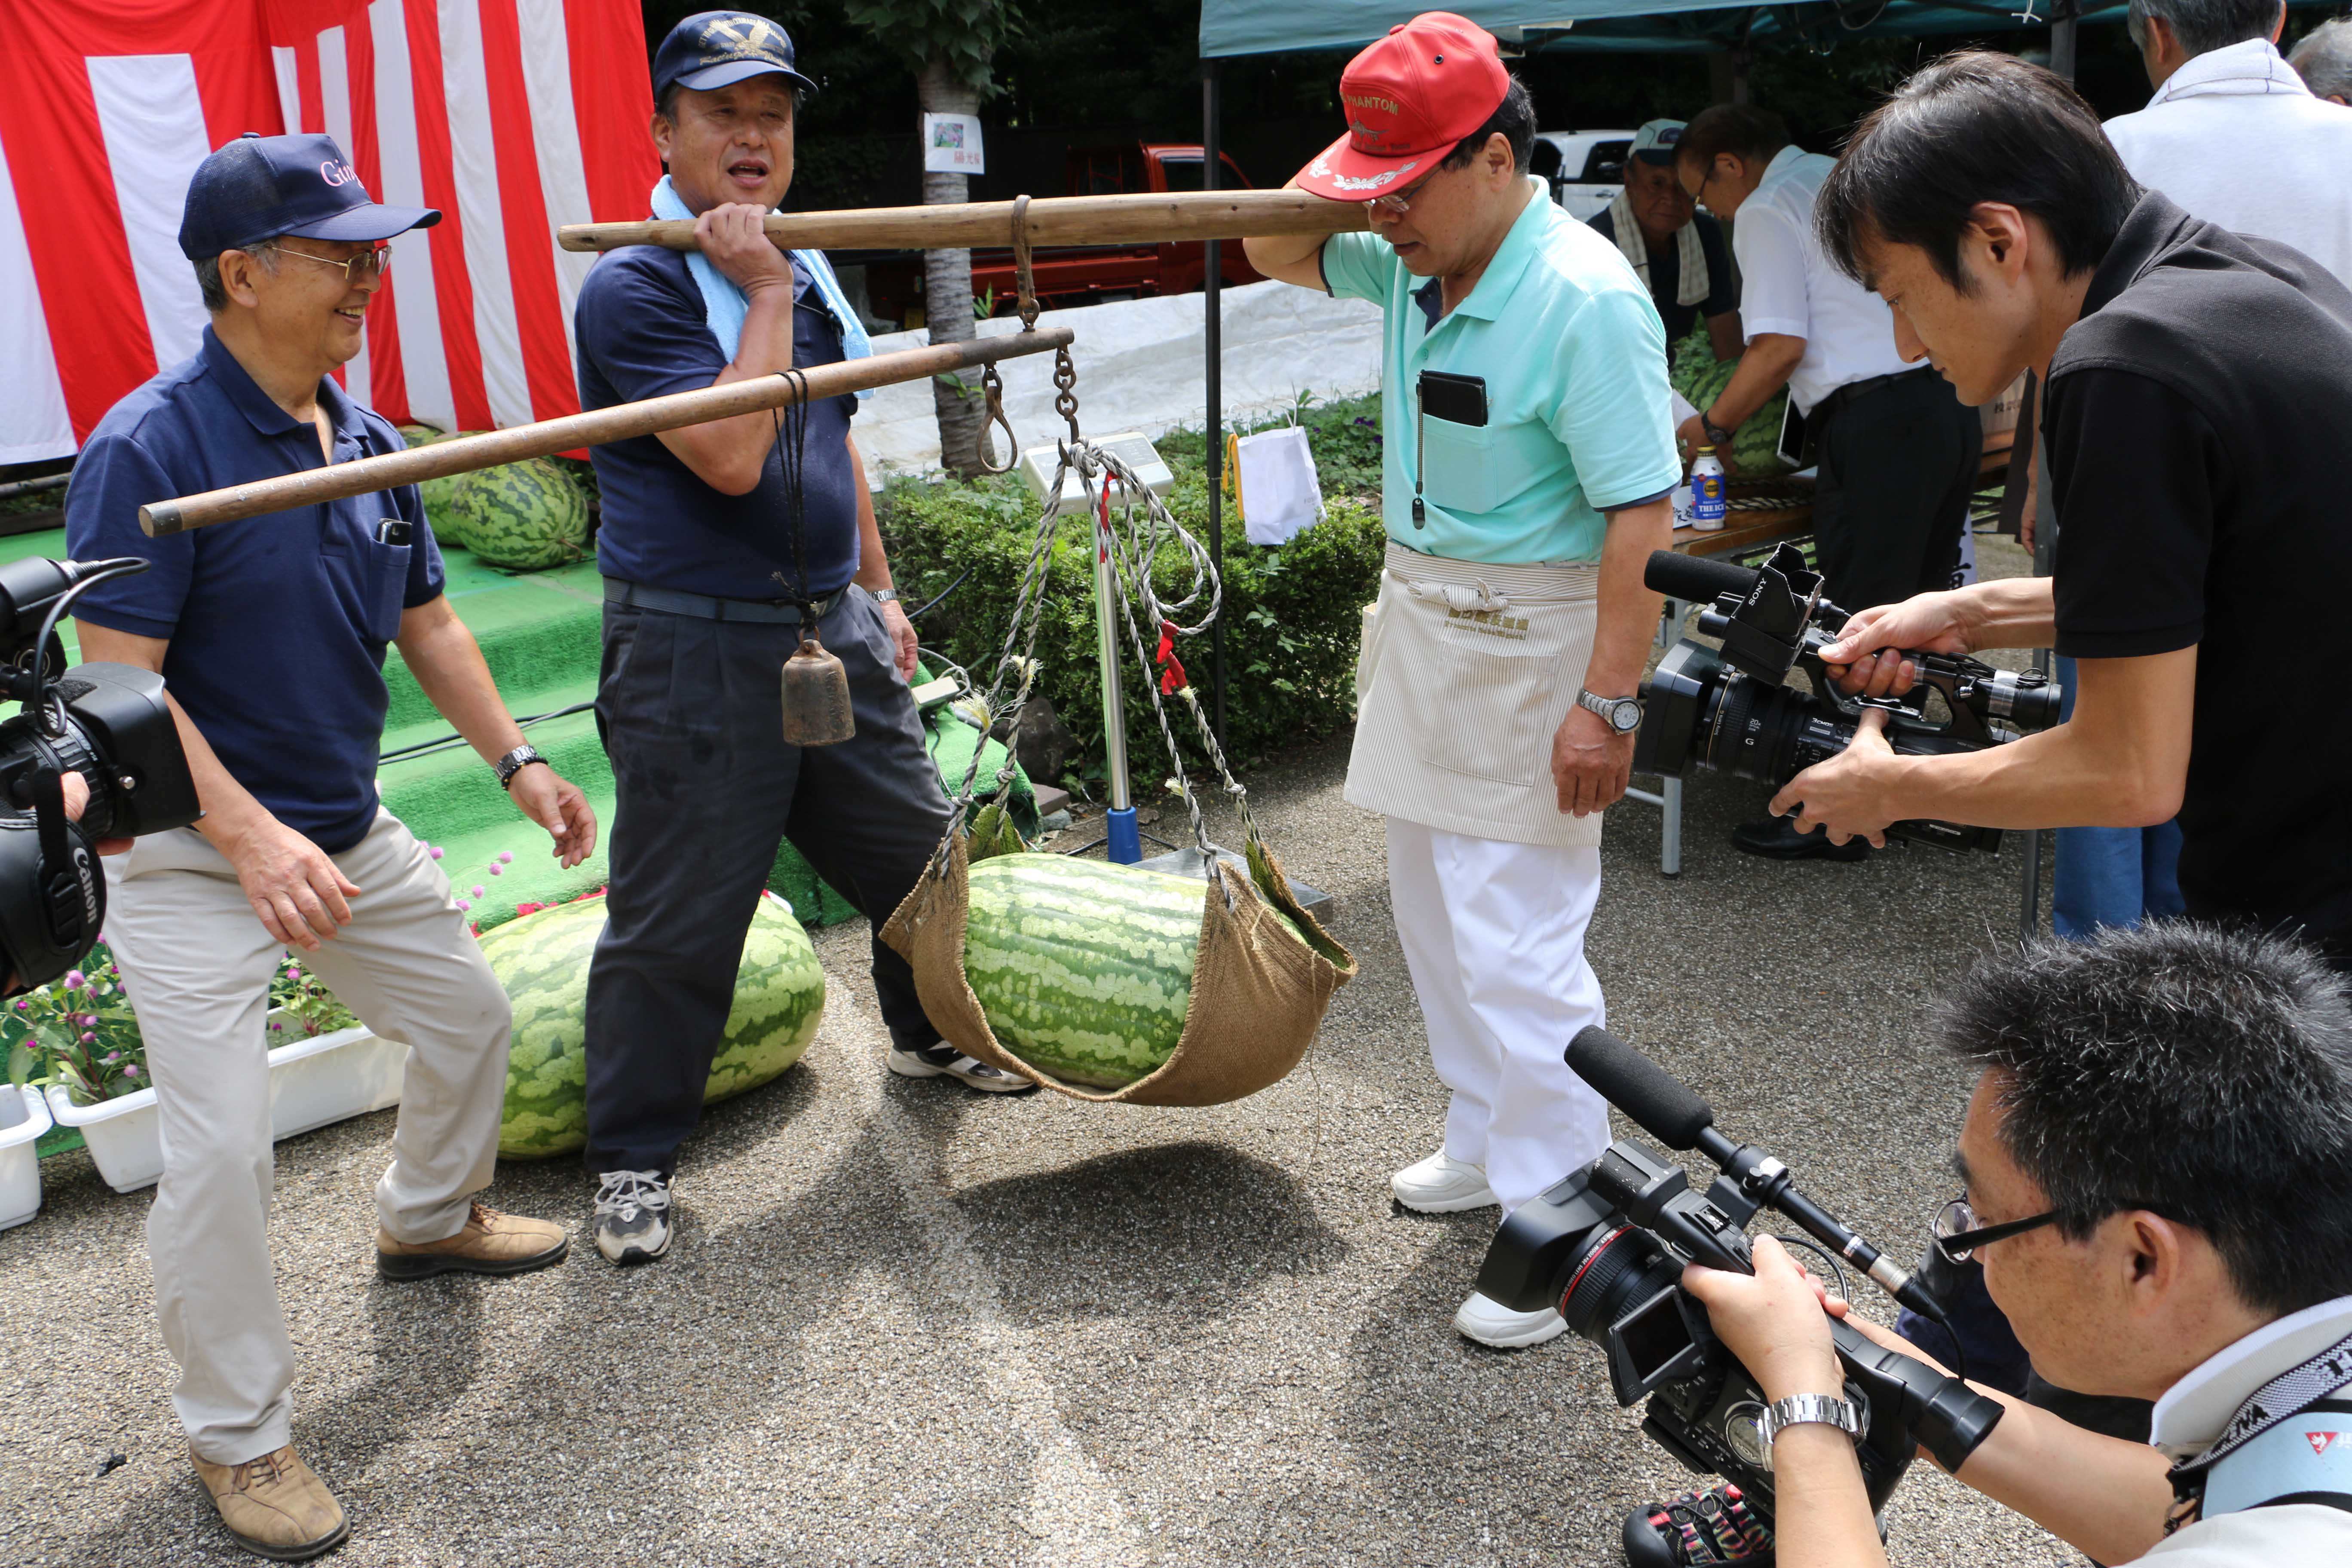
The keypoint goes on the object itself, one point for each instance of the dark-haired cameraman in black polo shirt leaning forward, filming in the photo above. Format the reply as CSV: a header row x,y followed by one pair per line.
x,y
2198,401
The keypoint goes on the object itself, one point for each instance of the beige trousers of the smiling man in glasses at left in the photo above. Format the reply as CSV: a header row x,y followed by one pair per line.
x,y
199,970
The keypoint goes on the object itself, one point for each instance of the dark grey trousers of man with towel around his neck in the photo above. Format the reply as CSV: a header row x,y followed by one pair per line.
x,y
693,718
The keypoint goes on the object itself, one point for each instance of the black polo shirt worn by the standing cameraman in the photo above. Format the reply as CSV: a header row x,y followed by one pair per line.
x,y
2198,427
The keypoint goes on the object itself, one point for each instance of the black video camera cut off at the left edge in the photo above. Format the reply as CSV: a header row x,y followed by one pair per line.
x,y
105,723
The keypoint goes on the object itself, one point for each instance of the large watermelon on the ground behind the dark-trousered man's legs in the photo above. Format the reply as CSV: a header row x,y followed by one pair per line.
x,y
542,960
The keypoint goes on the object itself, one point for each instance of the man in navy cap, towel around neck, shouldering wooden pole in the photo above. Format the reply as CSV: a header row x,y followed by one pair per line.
x,y
714,549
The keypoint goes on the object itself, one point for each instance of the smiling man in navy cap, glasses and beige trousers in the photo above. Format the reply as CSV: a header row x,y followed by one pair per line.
x,y
272,636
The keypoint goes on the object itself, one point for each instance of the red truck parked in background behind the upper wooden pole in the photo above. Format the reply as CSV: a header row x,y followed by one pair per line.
x,y
1085,274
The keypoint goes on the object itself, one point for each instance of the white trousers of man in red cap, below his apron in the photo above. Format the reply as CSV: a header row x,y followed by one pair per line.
x,y
1495,937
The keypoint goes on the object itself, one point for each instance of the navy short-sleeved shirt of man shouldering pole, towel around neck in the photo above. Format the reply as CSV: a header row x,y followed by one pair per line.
x,y
643,333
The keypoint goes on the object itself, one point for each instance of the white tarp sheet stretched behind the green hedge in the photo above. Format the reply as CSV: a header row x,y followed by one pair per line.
x,y
1142,366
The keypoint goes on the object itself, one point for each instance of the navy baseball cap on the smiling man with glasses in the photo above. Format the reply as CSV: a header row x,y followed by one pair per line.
x,y
265,187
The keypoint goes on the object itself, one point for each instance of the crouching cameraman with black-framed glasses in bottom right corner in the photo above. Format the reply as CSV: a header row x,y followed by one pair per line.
x,y
2158,1181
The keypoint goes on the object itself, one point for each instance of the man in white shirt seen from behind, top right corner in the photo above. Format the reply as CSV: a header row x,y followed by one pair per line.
x,y
2236,135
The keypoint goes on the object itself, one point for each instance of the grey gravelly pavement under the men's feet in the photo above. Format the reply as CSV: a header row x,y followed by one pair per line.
x,y
911,1325
